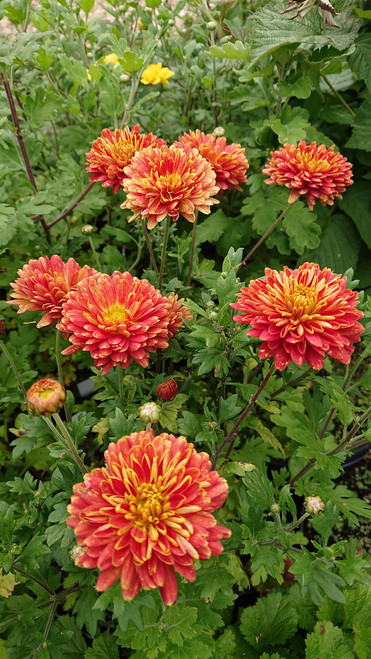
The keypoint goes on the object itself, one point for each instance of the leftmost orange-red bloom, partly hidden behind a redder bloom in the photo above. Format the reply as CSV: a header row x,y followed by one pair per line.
x,y
44,284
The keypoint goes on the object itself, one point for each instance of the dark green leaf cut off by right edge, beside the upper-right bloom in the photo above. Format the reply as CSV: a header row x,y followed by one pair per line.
x,y
357,204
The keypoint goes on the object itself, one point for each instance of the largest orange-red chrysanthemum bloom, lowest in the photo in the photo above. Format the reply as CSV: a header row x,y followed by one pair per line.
x,y
148,513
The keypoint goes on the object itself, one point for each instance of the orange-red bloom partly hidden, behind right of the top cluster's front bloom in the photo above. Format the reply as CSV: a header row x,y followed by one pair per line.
x,y
227,160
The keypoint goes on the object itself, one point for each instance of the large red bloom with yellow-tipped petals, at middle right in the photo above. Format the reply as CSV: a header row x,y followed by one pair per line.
x,y
301,315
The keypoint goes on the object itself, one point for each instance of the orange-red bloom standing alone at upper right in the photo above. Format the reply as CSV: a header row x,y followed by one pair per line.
x,y
318,172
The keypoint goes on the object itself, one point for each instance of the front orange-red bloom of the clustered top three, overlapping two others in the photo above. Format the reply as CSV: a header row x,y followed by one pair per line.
x,y
168,182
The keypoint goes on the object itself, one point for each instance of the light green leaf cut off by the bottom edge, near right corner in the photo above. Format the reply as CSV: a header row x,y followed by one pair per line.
x,y
327,642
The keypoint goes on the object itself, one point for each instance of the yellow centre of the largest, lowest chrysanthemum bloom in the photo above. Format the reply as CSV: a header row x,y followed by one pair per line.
x,y
148,505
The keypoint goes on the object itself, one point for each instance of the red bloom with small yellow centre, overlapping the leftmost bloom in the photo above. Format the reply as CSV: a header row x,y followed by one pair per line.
x,y
116,318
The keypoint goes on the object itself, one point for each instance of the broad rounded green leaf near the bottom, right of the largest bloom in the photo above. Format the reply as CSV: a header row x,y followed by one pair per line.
x,y
270,622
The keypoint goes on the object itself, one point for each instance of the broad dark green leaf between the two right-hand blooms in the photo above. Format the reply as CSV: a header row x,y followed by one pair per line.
x,y
339,247
